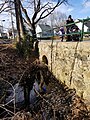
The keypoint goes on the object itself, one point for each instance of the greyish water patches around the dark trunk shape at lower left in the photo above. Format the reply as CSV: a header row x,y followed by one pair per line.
x,y
19,94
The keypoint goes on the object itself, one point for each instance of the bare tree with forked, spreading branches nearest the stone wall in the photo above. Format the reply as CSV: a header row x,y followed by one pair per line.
x,y
41,10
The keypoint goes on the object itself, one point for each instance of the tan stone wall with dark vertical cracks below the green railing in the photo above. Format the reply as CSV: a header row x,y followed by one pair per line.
x,y
70,63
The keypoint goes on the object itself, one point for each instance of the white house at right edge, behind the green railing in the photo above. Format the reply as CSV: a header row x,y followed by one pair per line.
x,y
86,25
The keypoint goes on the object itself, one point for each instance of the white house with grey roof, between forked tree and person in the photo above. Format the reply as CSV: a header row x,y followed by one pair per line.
x,y
44,31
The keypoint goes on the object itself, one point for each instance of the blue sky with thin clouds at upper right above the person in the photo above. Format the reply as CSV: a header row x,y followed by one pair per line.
x,y
77,8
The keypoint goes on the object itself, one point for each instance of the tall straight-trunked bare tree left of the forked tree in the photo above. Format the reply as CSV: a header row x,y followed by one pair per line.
x,y
9,6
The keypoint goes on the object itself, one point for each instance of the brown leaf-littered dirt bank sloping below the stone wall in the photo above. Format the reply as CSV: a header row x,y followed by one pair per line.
x,y
57,103
